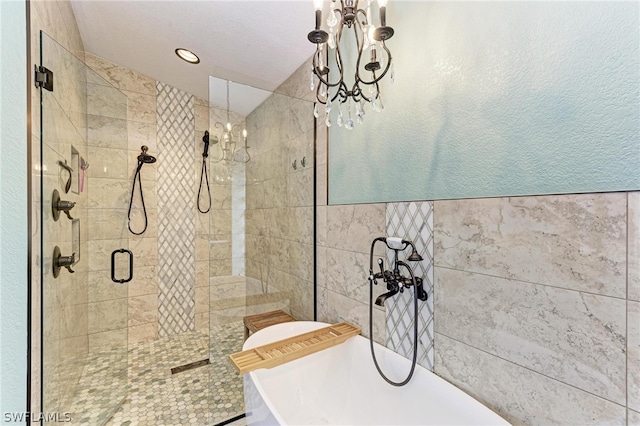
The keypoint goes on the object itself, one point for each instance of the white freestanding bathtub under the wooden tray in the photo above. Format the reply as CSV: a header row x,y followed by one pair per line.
x,y
340,386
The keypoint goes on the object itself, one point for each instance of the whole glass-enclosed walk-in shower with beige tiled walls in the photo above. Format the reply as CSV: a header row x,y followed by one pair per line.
x,y
111,349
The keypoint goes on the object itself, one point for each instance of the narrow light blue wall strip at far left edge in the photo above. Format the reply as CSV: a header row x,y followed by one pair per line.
x,y
13,207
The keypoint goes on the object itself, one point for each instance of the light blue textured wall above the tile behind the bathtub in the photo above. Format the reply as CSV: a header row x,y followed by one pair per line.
x,y
494,99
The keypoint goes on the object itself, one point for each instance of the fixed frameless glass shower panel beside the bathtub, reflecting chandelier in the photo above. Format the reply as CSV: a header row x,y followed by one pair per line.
x,y
262,223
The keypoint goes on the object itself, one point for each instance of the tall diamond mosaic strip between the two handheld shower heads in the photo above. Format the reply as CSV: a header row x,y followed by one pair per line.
x,y
176,216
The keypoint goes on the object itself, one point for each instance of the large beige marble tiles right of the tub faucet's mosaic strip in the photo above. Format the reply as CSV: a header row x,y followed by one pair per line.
x,y
537,291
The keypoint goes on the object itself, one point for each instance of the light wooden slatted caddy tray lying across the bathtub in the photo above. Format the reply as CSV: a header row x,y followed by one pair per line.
x,y
282,351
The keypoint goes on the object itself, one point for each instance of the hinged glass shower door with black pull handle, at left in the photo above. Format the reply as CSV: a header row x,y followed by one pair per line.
x,y
83,216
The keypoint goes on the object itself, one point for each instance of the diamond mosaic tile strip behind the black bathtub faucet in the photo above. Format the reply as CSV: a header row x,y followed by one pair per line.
x,y
412,221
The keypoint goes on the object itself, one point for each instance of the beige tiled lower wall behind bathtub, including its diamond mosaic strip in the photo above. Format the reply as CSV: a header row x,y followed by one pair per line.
x,y
536,309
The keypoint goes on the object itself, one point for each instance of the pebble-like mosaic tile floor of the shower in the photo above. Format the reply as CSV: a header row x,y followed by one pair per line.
x,y
205,395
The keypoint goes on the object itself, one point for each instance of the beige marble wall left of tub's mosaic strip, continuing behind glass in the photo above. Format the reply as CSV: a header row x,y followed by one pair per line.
x,y
343,232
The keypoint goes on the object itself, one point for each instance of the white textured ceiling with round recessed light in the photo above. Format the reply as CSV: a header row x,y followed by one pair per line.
x,y
258,43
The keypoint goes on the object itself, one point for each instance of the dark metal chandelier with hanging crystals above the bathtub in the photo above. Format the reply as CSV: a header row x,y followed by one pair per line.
x,y
373,57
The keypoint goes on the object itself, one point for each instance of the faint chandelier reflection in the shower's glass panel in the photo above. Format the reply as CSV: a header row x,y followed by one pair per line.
x,y
227,136
